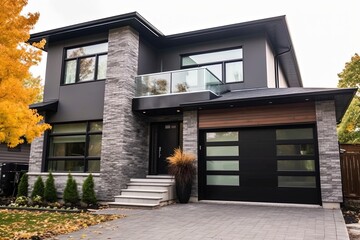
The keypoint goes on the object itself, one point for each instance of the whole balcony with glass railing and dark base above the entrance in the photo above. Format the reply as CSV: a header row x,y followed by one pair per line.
x,y
164,92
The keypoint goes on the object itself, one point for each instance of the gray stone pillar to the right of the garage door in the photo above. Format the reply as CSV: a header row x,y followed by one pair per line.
x,y
329,157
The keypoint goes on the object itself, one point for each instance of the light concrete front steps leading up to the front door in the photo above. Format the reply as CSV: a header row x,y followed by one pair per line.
x,y
152,191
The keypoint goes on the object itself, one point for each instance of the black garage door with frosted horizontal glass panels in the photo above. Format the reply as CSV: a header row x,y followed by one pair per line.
x,y
259,164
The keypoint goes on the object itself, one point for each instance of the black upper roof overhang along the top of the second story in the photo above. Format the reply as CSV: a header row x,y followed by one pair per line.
x,y
274,28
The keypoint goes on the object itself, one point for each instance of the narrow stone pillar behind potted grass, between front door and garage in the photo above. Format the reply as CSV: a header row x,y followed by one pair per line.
x,y
190,140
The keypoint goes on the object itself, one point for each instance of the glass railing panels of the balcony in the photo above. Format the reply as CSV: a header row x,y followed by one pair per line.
x,y
182,81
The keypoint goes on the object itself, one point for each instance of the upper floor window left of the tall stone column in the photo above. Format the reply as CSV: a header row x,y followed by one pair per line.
x,y
85,63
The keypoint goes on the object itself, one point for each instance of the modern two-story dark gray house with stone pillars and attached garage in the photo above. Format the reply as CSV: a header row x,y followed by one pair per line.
x,y
121,96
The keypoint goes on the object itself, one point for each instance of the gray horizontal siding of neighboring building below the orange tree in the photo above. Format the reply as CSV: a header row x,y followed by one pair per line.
x,y
14,157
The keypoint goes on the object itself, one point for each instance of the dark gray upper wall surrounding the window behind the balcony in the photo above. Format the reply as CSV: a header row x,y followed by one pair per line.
x,y
254,55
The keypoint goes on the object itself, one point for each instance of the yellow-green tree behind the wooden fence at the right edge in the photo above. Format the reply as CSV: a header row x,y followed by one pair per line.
x,y
349,128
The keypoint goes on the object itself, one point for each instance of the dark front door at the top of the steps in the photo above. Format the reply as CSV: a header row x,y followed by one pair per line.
x,y
165,138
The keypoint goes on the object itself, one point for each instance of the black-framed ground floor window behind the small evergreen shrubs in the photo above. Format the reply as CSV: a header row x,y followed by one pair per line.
x,y
75,147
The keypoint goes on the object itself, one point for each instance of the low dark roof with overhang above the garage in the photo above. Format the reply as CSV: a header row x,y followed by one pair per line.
x,y
341,97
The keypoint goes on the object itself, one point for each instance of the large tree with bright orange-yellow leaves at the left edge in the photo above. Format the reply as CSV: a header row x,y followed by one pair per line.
x,y
18,88
